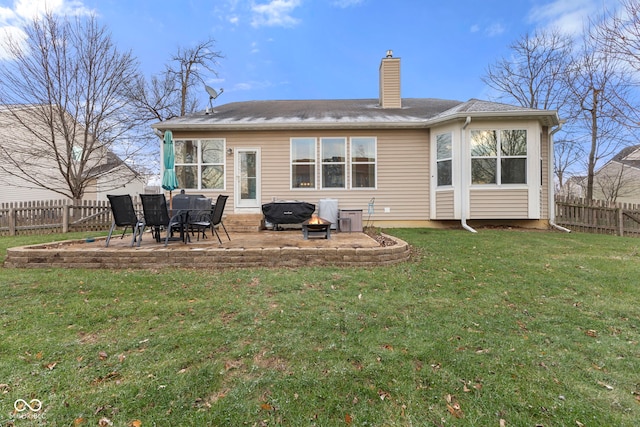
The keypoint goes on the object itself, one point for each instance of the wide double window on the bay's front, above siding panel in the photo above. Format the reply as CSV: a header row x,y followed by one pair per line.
x,y
499,156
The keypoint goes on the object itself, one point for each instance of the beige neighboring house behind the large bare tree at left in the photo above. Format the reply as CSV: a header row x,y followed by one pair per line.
x,y
111,174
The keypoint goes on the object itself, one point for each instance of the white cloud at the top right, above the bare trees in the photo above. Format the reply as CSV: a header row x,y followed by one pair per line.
x,y
568,16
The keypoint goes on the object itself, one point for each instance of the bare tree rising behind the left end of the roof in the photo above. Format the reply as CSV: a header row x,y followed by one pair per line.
x,y
171,93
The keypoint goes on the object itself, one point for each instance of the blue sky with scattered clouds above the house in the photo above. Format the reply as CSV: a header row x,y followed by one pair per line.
x,y
324,49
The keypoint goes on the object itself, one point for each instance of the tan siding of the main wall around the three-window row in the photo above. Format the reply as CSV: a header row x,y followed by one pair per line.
x,y
400,154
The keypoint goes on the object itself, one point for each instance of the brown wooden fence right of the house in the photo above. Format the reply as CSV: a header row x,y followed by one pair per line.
x,y
599,217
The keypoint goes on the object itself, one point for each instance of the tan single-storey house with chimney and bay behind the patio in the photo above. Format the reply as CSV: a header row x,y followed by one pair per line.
x,y
404,161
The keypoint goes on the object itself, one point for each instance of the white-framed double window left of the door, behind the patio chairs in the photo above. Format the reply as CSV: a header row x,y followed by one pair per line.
x,y
200,164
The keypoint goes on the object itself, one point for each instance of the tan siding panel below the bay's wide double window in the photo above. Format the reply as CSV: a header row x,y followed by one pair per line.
x,y
499,203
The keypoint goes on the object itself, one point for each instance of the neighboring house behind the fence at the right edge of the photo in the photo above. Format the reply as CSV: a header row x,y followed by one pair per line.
x,y
618,180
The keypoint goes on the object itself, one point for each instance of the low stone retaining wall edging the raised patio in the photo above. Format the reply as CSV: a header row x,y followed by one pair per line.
x,y
73,255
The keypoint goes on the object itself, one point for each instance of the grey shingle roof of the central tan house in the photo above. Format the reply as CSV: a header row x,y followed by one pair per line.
x,y
415,112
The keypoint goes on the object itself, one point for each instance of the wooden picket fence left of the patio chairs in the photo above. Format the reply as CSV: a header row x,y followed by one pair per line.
x,y
54,216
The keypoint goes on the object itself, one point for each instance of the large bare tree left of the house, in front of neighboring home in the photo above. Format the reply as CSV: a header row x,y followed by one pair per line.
x,y
63,91
